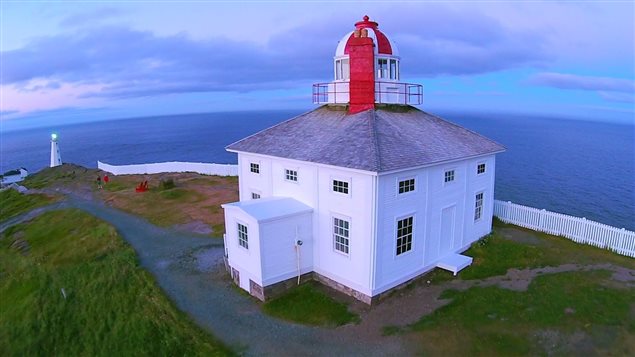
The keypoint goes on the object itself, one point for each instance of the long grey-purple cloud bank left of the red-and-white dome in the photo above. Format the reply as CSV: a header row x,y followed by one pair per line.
x,y
129,63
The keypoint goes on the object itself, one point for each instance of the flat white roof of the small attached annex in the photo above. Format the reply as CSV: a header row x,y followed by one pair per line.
x,y
271,208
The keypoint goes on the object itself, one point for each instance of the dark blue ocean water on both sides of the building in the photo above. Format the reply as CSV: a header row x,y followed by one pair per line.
x,y
581,168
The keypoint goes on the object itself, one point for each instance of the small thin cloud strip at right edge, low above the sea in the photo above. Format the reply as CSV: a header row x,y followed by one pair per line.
x,y
592,83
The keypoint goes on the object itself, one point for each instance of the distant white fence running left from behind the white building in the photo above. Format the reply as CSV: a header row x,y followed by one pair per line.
x,y
174,166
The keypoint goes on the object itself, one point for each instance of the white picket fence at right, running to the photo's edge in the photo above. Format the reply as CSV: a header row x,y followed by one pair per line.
x,y
579,230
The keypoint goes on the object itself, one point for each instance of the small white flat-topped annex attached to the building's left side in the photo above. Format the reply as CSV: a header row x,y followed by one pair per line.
x,y
270,241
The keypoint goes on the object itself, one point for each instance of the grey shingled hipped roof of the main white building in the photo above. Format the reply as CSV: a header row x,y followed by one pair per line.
x,y
384,139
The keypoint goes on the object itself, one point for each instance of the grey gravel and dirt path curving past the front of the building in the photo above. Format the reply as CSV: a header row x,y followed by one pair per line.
x,y
189,269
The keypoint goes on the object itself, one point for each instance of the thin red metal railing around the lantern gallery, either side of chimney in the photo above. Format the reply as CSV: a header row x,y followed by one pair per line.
x,y
385,92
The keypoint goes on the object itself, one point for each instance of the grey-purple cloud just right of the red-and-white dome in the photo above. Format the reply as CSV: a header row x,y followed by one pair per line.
x,y
446,41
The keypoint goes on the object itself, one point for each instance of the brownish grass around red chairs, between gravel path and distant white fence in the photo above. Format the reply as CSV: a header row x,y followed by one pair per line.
x,y
194,198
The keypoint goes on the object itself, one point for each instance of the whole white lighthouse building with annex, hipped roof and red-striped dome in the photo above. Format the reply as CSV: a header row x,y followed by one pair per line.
x,y
364,193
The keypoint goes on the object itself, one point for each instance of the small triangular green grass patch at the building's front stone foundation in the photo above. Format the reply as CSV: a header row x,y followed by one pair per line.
x,y
307,304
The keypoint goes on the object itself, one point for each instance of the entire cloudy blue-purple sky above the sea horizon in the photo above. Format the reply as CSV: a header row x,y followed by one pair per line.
x,y
74,61
